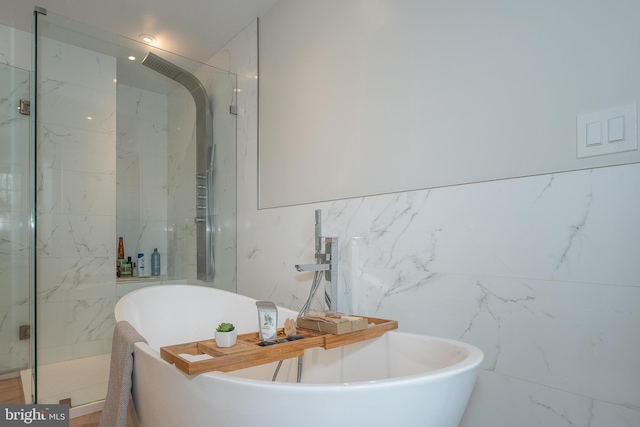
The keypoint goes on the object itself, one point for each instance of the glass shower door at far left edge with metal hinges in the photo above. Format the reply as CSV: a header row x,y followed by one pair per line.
x,y
15,230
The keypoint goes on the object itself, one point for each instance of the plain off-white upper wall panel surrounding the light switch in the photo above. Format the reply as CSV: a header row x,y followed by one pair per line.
x,y
402,95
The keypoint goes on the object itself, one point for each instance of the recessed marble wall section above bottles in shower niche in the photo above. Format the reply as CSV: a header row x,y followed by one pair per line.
x,y
142,173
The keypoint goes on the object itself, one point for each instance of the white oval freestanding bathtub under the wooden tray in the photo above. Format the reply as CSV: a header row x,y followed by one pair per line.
x,y
399,379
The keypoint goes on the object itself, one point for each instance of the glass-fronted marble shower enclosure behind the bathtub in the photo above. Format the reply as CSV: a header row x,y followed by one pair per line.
x,y
117,156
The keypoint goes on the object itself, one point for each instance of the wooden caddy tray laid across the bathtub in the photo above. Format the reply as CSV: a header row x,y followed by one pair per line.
x,y
247,352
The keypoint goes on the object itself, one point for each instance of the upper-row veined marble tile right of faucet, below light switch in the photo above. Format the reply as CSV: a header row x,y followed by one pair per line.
x,y
559,221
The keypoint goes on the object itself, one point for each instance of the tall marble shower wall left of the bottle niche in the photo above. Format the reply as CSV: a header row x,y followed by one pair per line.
x,y
76,190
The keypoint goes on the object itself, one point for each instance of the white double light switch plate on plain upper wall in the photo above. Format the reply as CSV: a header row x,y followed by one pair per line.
x,y
616,140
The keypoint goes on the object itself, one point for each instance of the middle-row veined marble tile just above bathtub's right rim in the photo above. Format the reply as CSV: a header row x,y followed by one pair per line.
x,y
585,346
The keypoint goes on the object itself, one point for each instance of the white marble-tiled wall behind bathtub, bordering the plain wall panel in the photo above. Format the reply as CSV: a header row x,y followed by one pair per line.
x,y
541,273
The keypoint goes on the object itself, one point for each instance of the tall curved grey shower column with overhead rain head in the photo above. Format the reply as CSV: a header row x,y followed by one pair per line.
x,y
205,156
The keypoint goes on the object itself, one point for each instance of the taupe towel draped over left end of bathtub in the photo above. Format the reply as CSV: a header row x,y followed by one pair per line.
x,y
114,413
